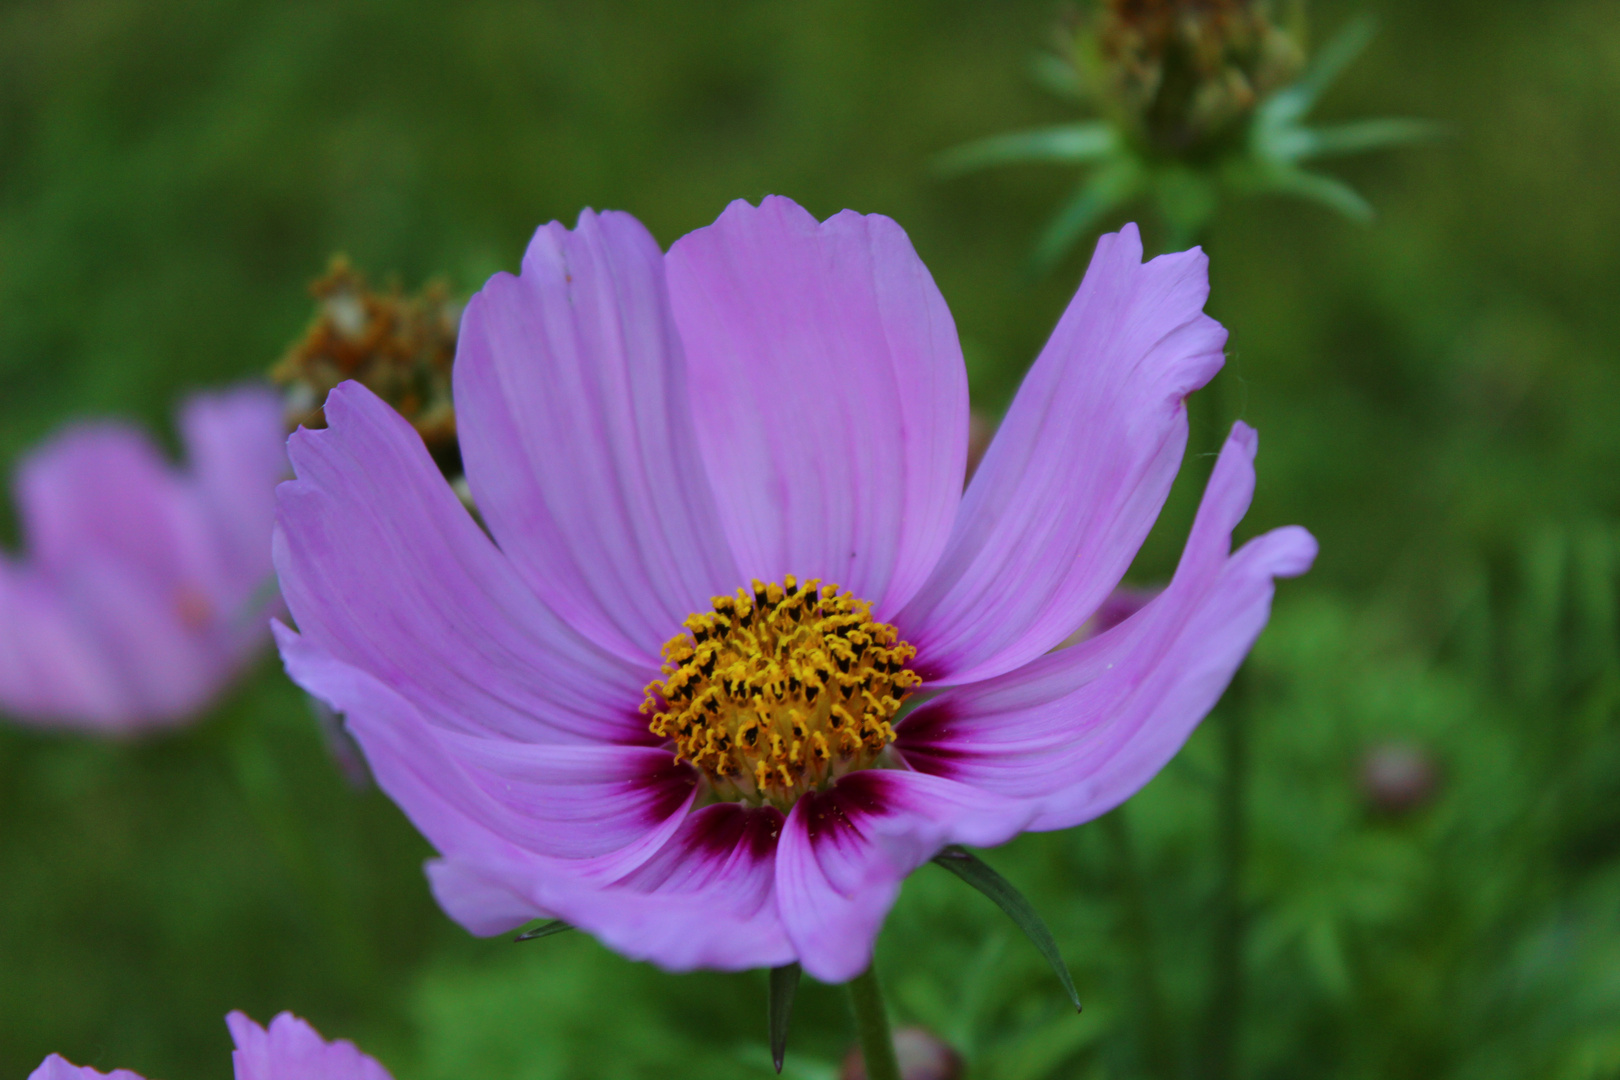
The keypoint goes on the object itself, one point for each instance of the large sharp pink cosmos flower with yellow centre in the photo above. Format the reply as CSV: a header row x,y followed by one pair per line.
x,y
728,542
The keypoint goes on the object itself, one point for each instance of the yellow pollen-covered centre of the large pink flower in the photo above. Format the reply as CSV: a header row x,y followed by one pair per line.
x,y
780,691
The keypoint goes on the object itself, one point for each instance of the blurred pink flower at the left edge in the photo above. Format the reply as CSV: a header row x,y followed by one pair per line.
x,y
145,589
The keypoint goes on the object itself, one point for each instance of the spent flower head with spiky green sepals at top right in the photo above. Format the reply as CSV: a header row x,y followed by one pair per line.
x,y
1192,101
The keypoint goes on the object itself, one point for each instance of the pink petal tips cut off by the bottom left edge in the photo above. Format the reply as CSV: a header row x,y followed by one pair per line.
x,y
291,1050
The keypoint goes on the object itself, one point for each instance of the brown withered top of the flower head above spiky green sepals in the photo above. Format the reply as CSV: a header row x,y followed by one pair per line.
x,y
1185,74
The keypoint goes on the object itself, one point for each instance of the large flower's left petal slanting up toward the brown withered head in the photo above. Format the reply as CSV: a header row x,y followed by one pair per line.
x,y
385,569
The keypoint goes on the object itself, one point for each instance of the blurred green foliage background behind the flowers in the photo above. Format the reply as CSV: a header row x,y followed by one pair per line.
x,y
1436,398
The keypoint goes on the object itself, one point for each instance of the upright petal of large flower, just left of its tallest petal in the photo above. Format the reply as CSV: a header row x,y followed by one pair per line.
x,y
579,443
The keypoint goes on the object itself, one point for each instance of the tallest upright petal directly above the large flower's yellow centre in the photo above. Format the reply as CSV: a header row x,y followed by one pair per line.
x,y
830,394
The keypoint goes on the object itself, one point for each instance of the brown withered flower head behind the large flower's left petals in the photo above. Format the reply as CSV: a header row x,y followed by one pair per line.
x,y
399,347
